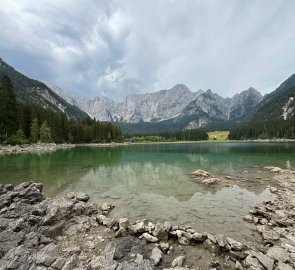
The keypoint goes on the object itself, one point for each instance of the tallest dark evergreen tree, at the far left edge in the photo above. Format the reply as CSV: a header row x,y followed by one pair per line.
x,y
8,113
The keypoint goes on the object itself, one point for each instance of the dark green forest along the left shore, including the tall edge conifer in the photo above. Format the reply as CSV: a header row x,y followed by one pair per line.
x,y
24,122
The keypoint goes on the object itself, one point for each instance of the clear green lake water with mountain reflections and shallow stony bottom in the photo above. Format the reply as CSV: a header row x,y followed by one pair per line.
x,y
153,181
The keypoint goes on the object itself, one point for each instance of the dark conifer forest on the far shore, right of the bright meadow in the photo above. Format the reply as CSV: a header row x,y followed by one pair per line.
x,y
267,130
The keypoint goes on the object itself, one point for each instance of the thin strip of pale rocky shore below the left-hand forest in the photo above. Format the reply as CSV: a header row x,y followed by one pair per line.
x,y
33,148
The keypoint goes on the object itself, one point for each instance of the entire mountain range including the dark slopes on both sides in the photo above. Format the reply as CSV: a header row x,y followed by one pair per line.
x,y
173,109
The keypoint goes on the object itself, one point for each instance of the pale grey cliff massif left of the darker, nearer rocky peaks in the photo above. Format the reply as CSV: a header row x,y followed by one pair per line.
x,y
135,108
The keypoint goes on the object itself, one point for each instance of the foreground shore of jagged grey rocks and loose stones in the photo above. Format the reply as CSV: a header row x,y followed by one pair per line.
x,y
71,233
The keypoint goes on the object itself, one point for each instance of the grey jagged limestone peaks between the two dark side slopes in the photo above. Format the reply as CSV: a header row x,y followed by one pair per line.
x,y
191,109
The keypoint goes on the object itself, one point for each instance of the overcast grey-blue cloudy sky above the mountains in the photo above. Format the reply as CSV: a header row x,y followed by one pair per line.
x,y
113,48
